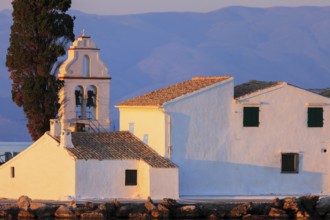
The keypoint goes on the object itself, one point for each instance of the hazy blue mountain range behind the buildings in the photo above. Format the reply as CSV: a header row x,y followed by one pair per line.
x,y
149,51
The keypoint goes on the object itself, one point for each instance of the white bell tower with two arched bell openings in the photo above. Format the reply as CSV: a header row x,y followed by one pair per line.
x,y
85,97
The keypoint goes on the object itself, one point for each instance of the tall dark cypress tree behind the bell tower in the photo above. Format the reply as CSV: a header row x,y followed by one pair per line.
x,y
40,31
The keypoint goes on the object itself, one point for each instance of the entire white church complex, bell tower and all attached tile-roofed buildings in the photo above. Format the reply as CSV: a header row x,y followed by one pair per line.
x,y
201,138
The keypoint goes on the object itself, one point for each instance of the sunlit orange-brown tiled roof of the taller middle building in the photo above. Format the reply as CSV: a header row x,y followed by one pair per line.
x,y
161,96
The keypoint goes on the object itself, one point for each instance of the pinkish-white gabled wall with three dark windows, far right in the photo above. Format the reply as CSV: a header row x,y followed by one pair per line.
x,y
255,160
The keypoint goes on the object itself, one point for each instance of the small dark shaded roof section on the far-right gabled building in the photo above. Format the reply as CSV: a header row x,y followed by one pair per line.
x,y
252,87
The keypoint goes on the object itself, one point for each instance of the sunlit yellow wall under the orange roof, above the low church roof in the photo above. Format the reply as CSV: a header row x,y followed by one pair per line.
x,y
147,121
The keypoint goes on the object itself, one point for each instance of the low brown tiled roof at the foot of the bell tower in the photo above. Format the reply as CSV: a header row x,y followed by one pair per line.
x,y
121,145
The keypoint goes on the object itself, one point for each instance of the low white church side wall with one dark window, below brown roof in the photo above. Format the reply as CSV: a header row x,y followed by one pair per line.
x,y
106,179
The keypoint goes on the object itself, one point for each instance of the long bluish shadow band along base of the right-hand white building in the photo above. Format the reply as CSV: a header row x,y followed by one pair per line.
x,y
211,178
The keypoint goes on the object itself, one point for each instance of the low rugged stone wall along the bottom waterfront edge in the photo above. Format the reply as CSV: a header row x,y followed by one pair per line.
x,y
290,207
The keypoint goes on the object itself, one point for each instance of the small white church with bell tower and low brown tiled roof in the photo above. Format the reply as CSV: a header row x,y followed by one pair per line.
x,y
78,158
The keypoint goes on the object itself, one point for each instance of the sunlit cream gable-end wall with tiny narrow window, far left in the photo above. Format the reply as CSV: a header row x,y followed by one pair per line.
x,y
42,171
